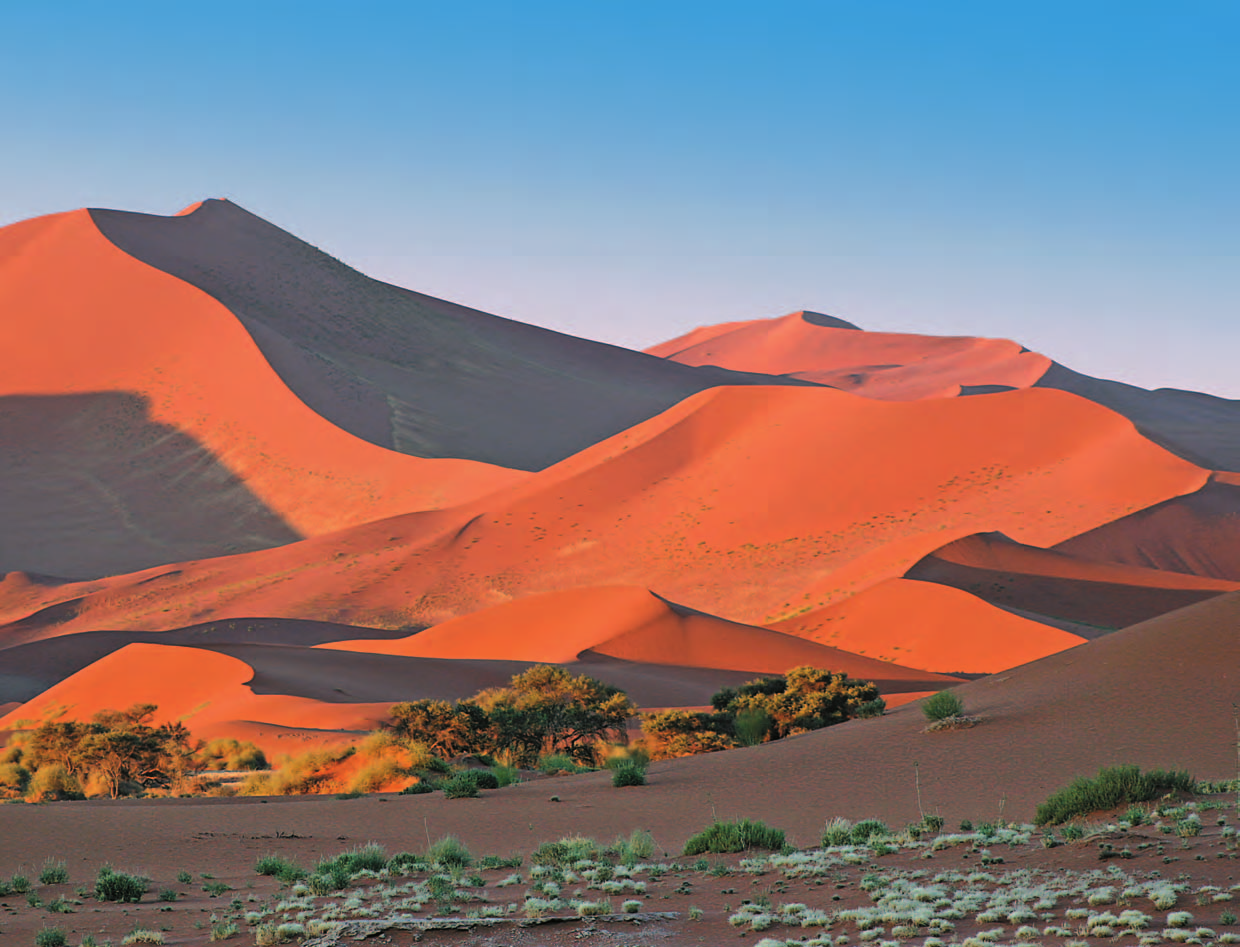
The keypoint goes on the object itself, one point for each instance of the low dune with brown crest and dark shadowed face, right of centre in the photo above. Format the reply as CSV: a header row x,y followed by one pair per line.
x,y
1045,582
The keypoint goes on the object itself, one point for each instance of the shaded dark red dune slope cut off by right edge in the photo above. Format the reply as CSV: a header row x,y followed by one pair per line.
x,y
1196,535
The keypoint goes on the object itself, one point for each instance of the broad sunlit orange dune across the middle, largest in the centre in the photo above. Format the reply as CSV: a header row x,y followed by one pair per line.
x,y
722,504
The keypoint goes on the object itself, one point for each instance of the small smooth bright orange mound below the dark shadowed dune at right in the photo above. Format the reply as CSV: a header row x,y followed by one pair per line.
x,y
931,627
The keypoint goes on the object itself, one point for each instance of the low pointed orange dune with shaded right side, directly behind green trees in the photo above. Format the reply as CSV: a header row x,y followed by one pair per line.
x,y
634,625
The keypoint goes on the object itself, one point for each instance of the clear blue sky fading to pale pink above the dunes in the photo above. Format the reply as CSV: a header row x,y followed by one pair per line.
x,y
1063,174
